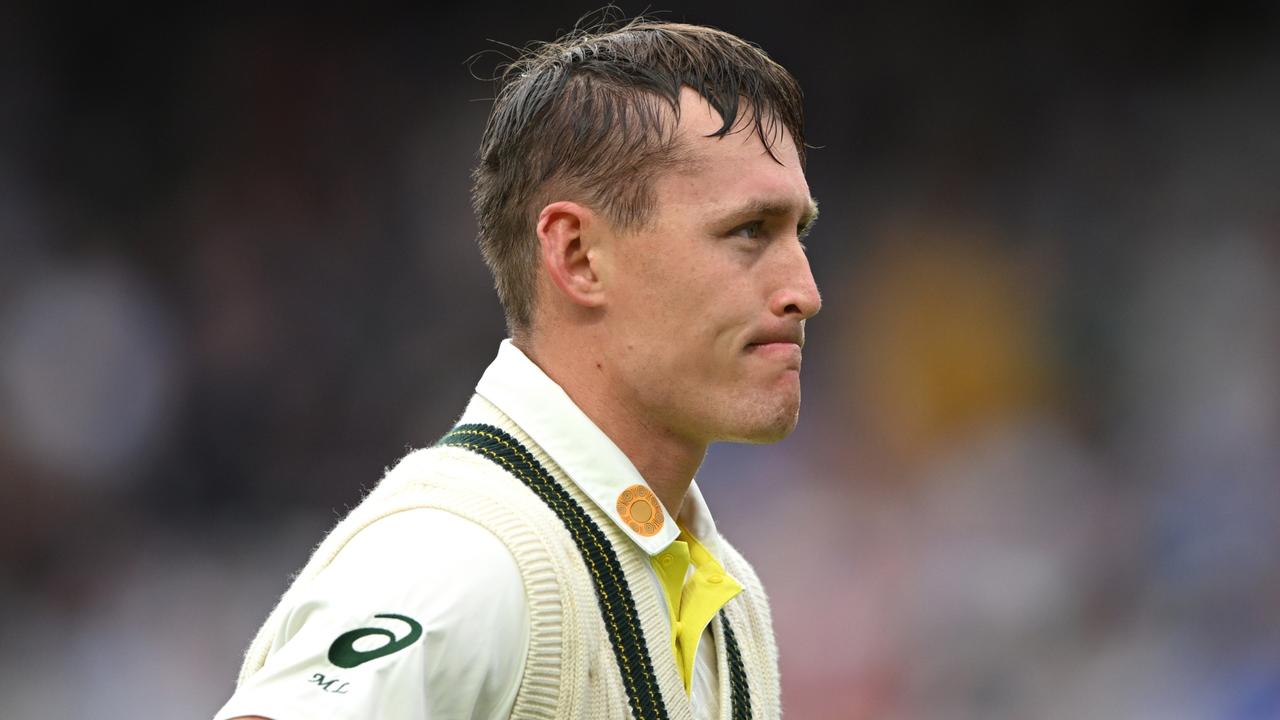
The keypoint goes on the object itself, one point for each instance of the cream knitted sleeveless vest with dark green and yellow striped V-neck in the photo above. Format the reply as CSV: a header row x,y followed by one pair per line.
x,y
598,639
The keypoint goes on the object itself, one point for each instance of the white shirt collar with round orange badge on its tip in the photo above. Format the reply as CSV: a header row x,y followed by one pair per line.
x,y
547,414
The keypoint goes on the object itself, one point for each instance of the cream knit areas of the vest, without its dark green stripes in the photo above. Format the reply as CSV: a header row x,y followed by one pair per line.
x,y
570,669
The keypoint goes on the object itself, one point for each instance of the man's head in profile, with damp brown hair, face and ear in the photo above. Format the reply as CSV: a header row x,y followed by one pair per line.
x,y
642,195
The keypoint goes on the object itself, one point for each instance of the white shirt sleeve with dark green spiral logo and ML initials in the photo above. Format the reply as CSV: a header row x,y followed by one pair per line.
x,y
422,616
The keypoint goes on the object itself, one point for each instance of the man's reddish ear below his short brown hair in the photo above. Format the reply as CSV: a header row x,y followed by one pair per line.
x,y
568,240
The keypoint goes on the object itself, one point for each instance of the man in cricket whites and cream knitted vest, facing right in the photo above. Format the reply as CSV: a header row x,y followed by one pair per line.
x,y
642,204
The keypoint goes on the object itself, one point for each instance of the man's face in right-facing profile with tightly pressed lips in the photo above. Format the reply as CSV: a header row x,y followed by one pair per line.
x,y
707,304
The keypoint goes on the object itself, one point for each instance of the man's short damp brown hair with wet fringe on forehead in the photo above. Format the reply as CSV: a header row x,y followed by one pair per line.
x,y
588,116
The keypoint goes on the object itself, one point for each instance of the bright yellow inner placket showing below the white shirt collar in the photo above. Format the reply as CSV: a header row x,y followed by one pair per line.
x,y
693,598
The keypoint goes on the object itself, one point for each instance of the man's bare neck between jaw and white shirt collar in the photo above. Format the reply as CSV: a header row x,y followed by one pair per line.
x,y
666,462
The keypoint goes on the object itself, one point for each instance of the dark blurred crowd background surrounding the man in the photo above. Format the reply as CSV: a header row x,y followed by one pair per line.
x,y
1039,470
